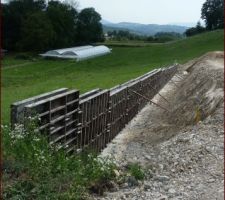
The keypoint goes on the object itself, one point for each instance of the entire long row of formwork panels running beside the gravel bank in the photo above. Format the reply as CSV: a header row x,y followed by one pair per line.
x,y
91,120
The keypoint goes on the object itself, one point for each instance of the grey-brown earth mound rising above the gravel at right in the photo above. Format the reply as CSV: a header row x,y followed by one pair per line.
x,y
200,92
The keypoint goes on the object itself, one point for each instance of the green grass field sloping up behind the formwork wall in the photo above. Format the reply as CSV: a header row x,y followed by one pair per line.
x,y
22,78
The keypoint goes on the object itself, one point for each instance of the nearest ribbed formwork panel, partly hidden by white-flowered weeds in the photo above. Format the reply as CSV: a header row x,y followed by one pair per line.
x,y
58,118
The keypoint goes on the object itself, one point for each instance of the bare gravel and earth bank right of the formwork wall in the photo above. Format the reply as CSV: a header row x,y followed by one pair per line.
x,y
182,149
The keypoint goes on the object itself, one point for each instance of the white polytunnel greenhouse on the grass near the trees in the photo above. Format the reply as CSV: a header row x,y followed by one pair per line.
x,y
78,53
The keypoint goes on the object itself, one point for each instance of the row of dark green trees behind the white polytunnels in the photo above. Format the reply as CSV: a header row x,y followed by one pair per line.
x,y
35,25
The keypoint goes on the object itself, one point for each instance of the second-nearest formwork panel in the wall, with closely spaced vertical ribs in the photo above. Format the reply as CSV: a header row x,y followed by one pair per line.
x,y
92,121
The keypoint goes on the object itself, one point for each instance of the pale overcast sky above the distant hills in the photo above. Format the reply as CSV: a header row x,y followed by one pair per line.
x,y
146,11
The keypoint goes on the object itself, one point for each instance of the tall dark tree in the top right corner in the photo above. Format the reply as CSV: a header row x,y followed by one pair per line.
x,y
213,14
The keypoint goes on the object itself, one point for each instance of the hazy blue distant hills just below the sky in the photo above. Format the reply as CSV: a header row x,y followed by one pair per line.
x,y
142,29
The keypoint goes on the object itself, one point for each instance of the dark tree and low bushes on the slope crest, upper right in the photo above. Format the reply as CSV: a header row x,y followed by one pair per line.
x,y
212,13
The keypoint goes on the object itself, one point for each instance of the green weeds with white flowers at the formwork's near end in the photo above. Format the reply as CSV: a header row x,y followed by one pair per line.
x,y
32,169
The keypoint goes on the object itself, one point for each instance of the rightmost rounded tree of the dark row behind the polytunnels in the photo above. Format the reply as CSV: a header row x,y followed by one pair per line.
x,y
89,26
